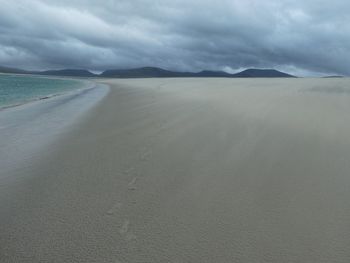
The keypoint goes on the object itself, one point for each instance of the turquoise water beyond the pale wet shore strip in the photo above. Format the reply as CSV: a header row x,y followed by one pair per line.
x,y
16,90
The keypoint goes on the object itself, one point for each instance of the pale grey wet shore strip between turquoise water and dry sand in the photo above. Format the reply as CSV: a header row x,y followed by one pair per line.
x,y
34,125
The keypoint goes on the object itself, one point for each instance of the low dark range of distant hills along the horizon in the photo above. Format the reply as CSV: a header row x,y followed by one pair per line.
x,y
153,72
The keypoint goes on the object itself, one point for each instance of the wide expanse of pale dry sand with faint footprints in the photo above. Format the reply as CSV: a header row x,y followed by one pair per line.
x,y
191,170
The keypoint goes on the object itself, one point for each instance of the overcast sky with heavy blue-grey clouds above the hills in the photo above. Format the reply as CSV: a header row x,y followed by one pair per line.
x,y
304,37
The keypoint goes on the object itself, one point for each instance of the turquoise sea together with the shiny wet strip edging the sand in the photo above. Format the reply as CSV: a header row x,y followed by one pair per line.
x,y
29,129
